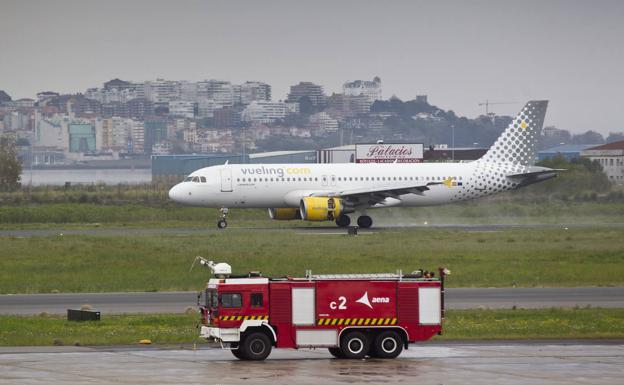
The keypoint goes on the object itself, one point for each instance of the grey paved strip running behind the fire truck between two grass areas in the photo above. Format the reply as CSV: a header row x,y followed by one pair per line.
x,y
177,302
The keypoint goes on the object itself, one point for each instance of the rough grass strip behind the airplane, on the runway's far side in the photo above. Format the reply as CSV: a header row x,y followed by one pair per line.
x,y
48,215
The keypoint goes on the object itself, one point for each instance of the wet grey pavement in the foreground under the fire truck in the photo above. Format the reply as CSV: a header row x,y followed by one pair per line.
x,y
500,363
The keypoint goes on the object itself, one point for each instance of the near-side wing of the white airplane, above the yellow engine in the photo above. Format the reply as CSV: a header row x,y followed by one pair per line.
x,y
373,196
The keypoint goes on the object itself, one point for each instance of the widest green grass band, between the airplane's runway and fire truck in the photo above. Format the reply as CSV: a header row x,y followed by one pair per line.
x,y
592,256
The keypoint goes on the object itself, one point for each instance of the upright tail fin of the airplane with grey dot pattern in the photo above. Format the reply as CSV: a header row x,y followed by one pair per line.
x,y
518,143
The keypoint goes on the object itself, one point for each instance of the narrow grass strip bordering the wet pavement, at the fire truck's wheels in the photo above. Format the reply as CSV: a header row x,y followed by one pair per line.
x,y
177,329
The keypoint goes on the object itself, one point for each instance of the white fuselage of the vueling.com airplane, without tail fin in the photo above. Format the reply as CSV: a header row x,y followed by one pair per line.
x,y
283,185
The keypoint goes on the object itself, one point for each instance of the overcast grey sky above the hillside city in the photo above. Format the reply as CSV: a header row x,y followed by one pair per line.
x,y
459,53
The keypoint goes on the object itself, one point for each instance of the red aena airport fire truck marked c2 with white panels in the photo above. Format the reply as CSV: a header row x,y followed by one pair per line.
x,y
353,315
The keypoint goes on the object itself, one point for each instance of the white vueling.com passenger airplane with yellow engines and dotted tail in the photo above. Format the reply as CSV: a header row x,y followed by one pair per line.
x,y
334,192
